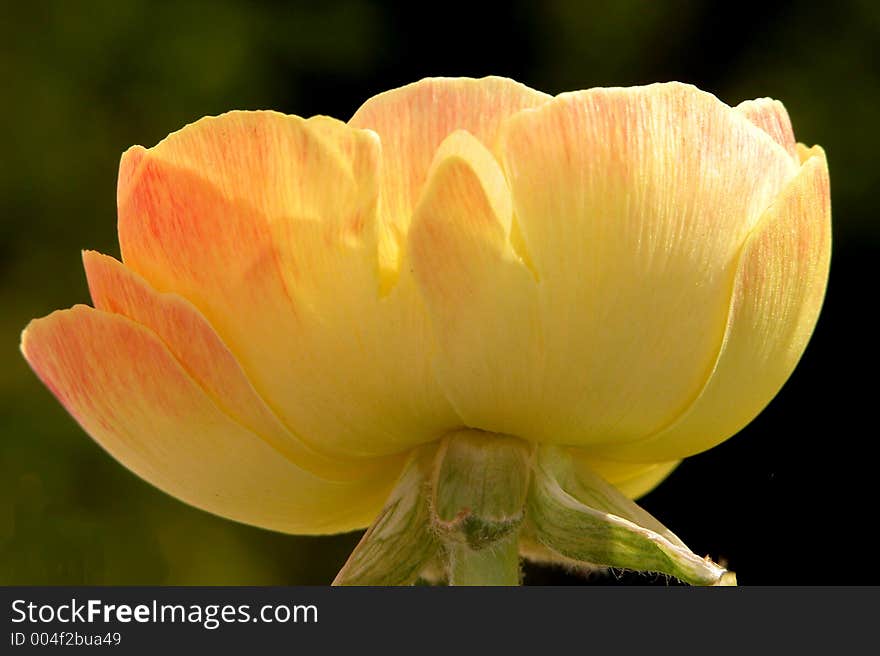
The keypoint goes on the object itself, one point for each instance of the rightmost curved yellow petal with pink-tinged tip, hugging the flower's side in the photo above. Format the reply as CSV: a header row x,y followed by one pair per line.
x,y
780,285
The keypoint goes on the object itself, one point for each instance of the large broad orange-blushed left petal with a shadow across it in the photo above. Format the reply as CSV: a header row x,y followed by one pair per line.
x,y
266,223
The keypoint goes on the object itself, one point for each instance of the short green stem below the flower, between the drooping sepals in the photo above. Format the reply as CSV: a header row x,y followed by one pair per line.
x,y
495,564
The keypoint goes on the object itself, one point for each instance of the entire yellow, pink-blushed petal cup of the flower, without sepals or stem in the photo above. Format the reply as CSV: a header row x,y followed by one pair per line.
x,y
629,273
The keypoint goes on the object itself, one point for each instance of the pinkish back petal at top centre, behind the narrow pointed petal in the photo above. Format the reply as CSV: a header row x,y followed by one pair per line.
x,y
413,120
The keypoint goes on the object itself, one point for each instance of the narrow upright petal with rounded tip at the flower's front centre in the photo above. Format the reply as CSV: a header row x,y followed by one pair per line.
x,y
481,297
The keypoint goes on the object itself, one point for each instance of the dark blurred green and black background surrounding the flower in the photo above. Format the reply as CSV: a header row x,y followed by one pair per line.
x,y
789,500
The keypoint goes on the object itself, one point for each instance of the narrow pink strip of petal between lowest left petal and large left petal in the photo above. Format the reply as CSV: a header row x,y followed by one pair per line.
x,y
199,350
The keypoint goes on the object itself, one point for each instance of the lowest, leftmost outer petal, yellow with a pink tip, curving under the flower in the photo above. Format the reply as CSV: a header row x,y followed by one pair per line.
x,y
129,393
